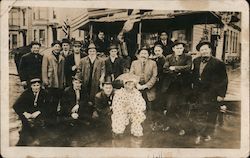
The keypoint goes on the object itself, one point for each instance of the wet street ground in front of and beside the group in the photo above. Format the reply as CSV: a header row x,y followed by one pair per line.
x,y
226,136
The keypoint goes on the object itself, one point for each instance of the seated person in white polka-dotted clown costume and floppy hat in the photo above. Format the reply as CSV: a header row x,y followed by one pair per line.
x,y
128,105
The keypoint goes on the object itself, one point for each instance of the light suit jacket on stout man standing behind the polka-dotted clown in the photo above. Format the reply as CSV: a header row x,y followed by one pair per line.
x,y
150,75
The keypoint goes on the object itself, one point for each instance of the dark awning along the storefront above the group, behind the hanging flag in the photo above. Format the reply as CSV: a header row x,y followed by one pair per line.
x,y
154,21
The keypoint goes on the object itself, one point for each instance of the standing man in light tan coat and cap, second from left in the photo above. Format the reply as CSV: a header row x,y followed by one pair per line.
x,y
53,74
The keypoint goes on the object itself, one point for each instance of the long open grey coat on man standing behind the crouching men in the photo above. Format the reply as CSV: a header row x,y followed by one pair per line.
x,y
98,71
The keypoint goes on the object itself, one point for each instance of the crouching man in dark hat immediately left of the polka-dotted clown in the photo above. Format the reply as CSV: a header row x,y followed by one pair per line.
x,y
103,102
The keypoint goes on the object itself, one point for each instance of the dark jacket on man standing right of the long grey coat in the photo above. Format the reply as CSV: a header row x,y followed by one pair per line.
x,y
117,68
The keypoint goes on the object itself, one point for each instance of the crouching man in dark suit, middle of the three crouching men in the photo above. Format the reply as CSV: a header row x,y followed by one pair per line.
x,y
73,103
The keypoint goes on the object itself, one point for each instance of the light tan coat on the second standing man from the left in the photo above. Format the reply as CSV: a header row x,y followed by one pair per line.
x,y
53,71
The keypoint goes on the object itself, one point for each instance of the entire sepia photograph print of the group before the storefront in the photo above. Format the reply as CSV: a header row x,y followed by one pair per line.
x,y
123,78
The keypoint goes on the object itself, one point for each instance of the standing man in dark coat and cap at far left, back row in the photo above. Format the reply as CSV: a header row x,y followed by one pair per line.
x,y
31,64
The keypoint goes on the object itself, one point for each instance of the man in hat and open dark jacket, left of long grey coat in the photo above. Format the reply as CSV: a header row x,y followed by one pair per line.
x,y
72,62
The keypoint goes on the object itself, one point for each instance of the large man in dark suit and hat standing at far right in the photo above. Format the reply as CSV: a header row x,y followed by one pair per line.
x,y
210,85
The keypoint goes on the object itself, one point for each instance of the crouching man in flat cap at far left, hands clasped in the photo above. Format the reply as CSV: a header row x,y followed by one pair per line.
x,y
31,109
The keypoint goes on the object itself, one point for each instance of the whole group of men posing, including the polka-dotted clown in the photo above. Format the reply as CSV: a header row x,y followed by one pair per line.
x,y
106,83
